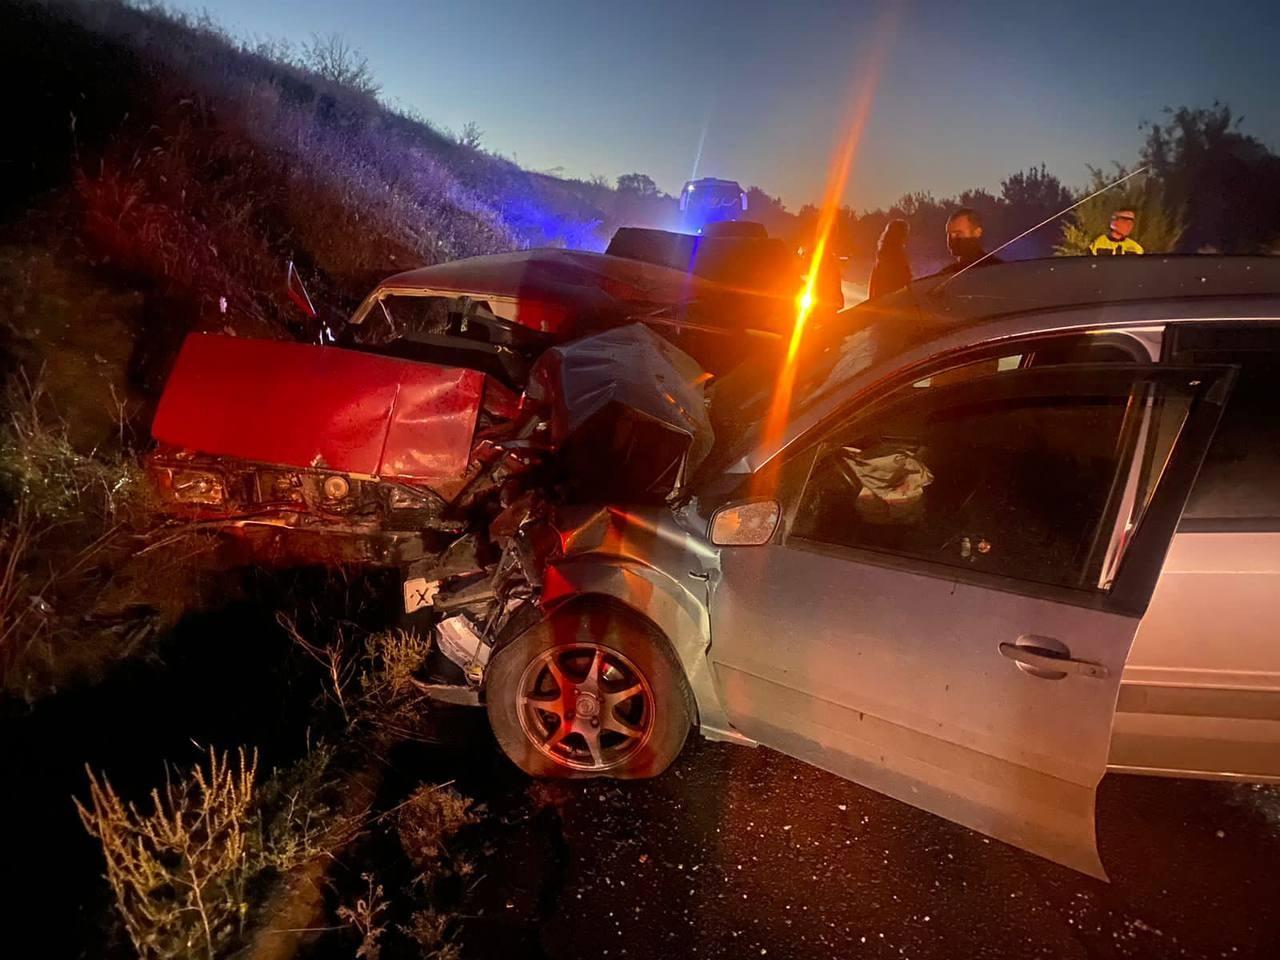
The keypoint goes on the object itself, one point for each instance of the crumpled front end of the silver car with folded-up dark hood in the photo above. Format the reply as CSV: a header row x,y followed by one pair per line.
x,y
625,423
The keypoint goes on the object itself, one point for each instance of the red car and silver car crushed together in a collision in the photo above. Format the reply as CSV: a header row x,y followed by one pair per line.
x,y
926,575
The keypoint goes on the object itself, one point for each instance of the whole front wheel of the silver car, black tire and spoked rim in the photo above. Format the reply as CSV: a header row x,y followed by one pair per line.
x,y
592,692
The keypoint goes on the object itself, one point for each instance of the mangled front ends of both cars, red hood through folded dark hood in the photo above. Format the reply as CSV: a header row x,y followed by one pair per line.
x,y
446,461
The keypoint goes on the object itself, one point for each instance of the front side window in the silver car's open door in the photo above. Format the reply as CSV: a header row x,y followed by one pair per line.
x,y
1018,474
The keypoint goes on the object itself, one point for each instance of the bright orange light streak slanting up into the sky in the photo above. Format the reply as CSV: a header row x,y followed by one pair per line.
x,y
863,94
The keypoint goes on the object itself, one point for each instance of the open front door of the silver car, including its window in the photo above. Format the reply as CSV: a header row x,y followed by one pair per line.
x,y
947,607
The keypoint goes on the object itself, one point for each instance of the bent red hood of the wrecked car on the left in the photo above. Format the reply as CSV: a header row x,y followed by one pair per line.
x,y
307,406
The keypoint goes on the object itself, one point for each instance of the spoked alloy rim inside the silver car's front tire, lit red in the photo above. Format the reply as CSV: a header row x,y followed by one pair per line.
x,y
586,707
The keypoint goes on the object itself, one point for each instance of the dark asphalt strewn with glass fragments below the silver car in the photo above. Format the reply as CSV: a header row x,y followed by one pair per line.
x,y
739,853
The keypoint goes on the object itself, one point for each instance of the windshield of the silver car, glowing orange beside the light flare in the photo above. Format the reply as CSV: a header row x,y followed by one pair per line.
x,y
829,359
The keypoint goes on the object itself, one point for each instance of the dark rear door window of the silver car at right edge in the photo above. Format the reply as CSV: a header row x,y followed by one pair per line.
x,y
1241,477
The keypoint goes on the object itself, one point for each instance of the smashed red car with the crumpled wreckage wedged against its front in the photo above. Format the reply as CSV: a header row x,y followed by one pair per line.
x,y
461,413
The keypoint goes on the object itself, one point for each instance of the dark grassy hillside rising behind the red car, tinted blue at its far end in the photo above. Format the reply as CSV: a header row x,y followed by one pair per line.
x,y
163,179
